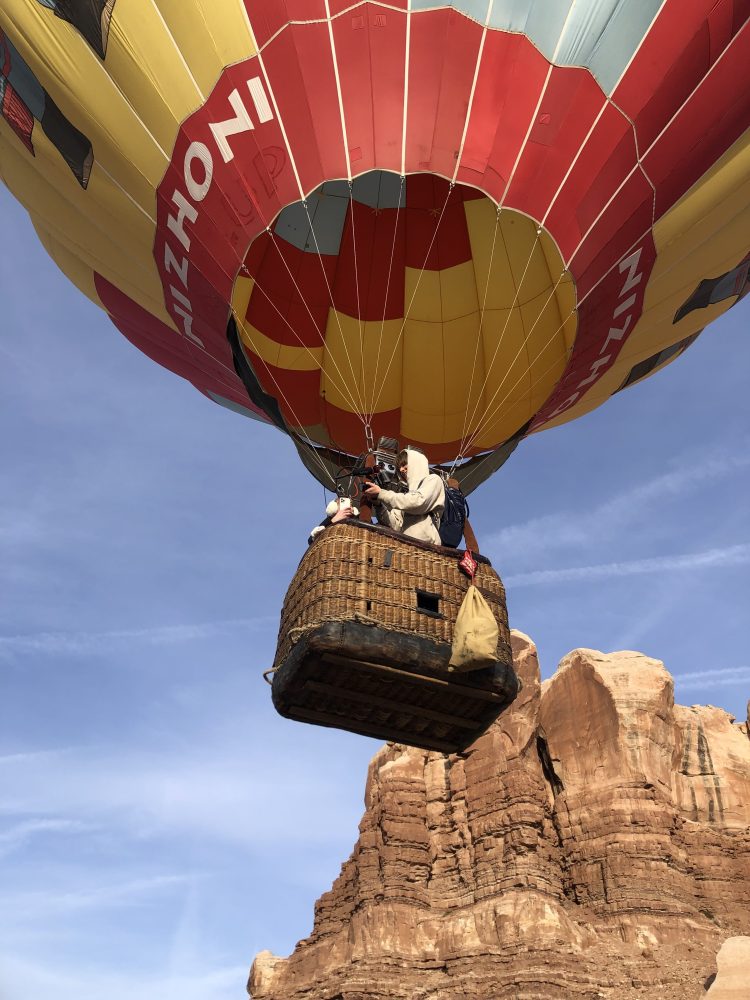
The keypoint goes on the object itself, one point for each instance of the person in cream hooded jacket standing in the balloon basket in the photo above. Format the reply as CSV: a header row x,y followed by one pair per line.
x,y
416,513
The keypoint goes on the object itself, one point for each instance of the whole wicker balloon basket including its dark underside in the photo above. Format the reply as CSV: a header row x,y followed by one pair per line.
x,y
365,639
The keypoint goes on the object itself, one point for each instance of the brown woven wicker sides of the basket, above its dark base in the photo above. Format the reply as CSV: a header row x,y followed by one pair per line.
x,y
369,574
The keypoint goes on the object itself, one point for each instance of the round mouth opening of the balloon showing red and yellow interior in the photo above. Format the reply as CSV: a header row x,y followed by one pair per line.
x,y
408,307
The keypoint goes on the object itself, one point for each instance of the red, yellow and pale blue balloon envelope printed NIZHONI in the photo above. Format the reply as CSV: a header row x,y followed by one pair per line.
x,y
451,225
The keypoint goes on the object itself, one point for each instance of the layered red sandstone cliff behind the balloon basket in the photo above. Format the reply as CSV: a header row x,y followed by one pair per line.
x,y
595,842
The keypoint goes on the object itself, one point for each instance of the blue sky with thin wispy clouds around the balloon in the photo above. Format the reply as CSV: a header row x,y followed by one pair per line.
x,y
159,823
